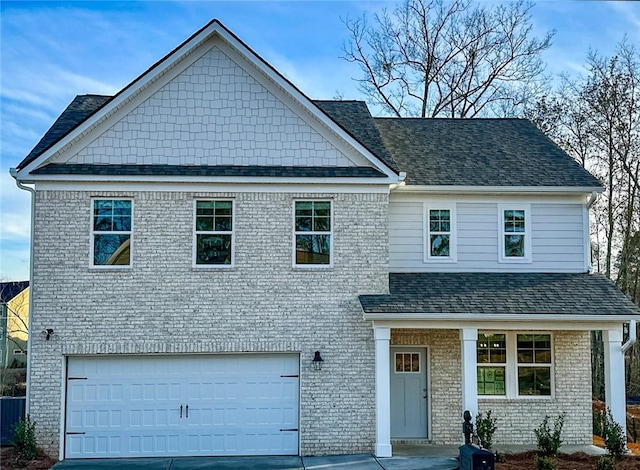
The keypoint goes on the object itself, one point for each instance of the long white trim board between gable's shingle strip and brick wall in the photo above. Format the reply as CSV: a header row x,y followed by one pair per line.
x,y
213,187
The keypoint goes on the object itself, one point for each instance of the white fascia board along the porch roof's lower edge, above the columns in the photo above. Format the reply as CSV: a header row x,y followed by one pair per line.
x,y
516,318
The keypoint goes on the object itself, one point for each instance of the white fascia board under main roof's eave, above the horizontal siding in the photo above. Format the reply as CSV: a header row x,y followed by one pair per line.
x,y
457,189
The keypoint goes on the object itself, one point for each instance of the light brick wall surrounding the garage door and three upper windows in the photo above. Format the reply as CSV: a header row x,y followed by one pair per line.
x,y
163,305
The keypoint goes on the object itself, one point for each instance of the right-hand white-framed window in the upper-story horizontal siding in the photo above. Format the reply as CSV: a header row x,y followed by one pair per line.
x,y
515,233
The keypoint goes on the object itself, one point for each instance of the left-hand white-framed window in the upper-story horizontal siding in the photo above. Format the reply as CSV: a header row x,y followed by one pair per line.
x,y
439,242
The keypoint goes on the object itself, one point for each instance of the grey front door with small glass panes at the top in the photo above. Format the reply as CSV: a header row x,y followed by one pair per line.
x,y
409,394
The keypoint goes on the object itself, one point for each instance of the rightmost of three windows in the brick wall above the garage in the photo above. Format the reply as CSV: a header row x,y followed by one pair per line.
x,y
313,233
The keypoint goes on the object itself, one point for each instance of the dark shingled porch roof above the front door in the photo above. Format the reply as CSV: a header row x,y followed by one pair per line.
x,y
500,293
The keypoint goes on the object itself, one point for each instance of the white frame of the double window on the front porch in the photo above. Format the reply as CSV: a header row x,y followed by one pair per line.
x,y
512,365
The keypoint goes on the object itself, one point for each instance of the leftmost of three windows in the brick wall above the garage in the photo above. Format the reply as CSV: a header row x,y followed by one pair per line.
x,y
111,232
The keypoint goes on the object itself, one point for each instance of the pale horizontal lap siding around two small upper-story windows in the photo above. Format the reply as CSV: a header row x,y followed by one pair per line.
x,y
557,238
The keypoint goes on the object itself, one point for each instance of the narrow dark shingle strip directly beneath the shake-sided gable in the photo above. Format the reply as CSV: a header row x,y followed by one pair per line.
x,y
218,170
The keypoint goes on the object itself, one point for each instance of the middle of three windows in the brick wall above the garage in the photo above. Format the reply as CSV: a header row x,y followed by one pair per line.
x,y
213,244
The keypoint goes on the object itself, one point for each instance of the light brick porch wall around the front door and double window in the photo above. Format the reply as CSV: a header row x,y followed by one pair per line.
x,y
517,418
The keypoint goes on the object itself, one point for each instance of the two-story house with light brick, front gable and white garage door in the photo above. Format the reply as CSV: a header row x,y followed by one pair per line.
x,y
231,268
